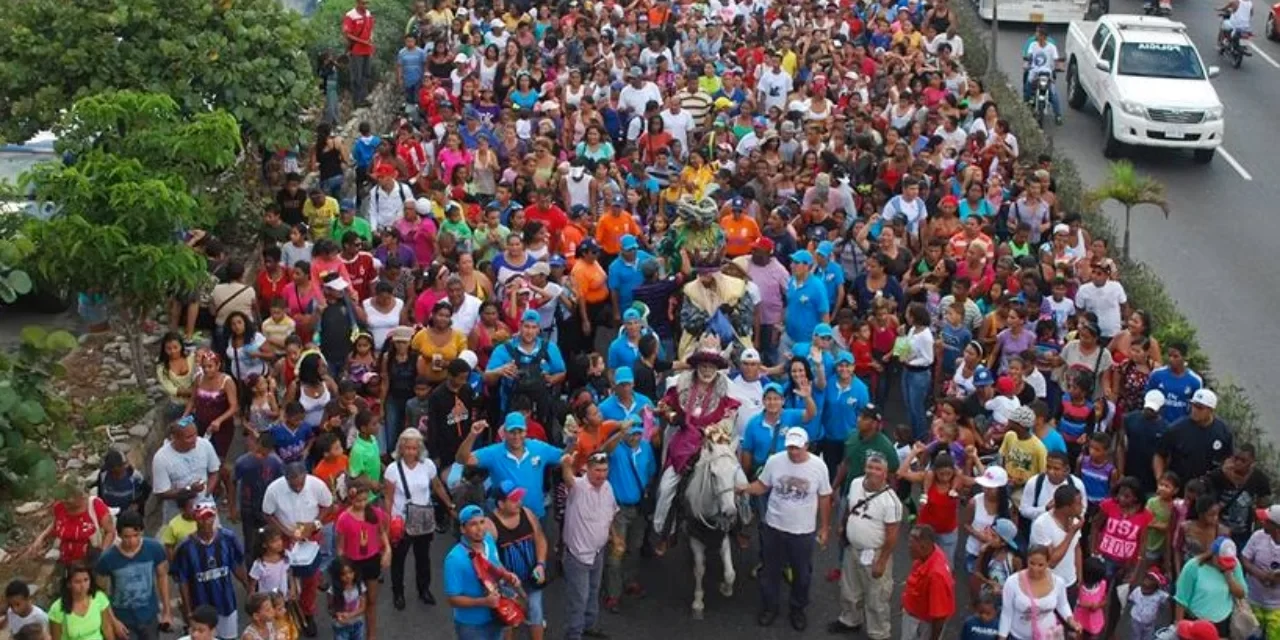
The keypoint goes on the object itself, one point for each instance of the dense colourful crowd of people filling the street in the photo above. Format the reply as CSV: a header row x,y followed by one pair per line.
x,y
607,241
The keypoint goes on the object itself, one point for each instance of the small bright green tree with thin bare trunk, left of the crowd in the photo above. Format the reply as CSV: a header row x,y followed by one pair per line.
x,y
140,175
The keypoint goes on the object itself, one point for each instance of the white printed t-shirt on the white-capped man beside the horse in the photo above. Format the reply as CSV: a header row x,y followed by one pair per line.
x,y
794,492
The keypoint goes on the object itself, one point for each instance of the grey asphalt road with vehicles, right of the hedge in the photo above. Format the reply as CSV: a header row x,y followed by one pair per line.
x,y
1213,253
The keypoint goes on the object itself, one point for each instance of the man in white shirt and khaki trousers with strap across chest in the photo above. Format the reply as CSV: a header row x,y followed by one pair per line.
x,y
875,515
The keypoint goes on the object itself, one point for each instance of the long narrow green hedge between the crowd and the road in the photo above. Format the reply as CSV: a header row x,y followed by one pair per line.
x,y
1144,286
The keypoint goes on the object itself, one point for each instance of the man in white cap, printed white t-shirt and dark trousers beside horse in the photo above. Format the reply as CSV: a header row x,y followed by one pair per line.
x,y
799,493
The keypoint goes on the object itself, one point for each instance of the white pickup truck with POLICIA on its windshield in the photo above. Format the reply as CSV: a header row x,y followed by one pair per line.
x,y
1148,80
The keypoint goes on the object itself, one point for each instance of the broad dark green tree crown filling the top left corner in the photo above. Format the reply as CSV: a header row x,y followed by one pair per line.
x,y
248,57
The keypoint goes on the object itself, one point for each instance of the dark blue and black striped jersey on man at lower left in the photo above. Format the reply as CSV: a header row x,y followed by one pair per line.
x,y
209,569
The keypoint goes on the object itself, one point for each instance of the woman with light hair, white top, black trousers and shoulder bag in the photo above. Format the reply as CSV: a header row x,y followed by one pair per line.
x,y
409,484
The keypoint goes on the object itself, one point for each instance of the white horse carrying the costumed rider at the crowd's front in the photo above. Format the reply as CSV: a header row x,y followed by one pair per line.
x,y
712,509
